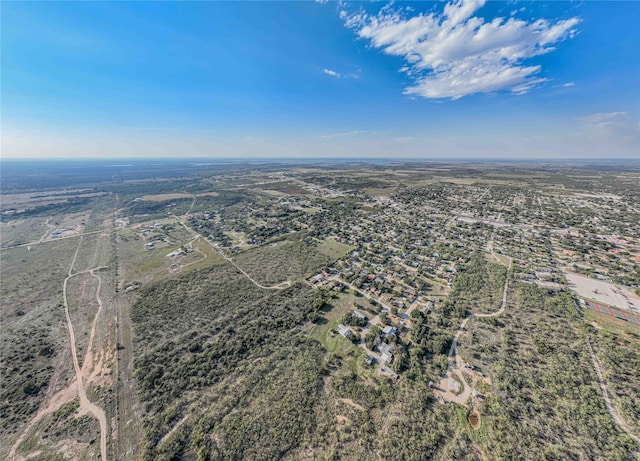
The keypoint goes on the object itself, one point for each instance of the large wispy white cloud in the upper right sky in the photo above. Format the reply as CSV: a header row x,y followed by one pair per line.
x,y
453,53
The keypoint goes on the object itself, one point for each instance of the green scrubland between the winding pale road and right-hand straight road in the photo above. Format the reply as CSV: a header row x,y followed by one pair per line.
x,y
538,360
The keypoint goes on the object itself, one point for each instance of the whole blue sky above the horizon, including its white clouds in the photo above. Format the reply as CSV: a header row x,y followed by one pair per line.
x,y
458,79
